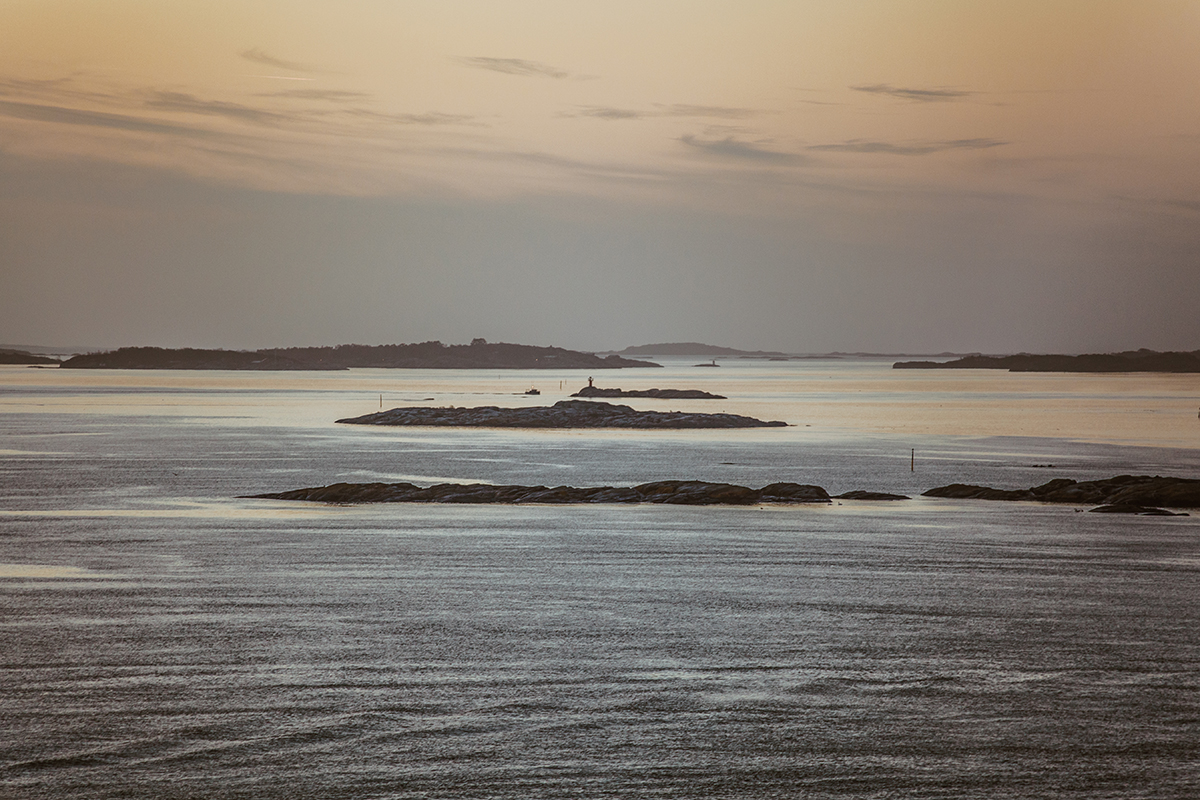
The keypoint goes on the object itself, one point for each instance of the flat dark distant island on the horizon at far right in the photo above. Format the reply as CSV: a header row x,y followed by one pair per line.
x,y
1129,362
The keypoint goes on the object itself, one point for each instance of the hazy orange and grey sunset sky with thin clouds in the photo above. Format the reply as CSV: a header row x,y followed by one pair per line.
x,y
856,176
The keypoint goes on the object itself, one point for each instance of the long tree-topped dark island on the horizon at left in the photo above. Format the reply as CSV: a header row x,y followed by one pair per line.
x,y
428,356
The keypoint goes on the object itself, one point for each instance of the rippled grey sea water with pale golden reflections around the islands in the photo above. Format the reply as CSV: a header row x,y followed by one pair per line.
x,y
164,639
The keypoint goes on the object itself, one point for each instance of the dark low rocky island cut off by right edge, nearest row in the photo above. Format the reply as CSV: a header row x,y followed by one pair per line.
x,y
1123,495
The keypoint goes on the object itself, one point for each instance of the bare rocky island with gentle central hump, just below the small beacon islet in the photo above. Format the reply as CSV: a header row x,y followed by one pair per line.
x,y
563,414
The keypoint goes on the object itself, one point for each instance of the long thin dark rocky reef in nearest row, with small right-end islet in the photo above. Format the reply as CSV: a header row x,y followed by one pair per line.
x,y
662,492
